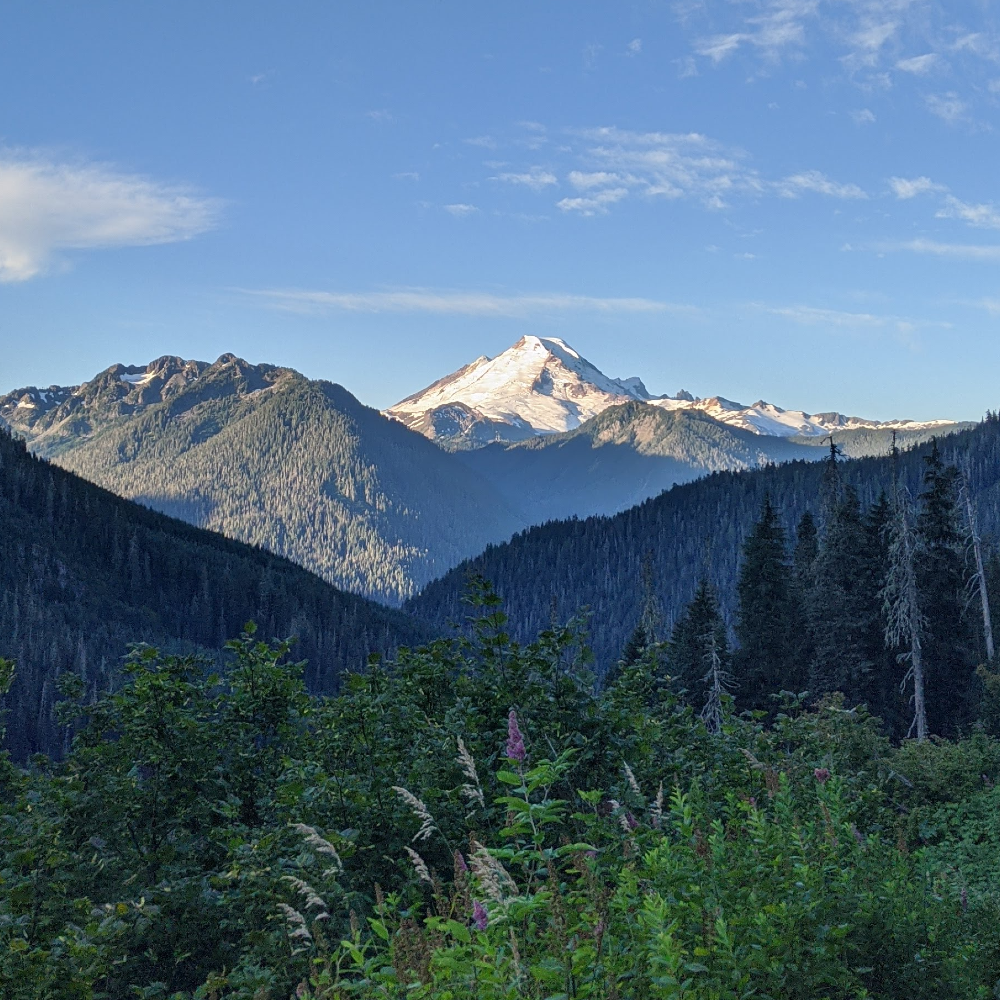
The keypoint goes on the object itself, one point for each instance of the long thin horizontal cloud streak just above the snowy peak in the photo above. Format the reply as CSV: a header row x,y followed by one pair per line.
x,y
453,303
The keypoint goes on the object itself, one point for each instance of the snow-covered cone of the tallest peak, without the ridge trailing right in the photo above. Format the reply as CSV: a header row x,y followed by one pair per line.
x,y
538,386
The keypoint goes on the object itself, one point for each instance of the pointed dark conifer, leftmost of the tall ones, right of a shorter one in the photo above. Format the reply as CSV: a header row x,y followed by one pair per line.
x,y
766,661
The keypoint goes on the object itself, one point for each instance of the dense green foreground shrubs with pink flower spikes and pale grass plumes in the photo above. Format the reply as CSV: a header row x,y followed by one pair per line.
x,y
475,821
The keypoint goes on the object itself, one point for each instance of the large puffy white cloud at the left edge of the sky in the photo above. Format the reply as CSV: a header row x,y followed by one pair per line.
x,y
47,207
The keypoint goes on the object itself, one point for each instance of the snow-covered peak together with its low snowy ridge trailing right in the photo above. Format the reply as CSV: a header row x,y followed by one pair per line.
x,y
542,386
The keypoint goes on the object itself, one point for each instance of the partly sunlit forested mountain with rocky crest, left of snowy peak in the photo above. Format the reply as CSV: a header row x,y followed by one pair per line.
x,y
272,458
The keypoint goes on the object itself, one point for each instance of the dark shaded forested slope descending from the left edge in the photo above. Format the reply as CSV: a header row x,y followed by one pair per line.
x,y
83,573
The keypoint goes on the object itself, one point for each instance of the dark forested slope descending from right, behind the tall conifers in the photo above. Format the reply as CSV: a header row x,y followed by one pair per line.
x,y
693,531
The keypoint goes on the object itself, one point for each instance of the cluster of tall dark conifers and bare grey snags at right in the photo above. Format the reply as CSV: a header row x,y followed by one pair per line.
x,y
887,603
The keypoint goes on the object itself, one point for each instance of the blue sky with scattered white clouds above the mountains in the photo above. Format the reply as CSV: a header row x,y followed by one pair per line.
x,y
793,200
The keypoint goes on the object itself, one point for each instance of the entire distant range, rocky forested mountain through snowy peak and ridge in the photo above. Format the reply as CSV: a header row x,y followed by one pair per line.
x,y
381,504
